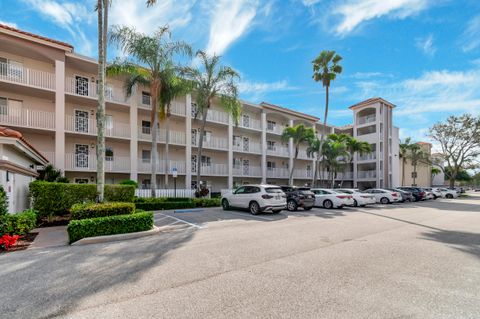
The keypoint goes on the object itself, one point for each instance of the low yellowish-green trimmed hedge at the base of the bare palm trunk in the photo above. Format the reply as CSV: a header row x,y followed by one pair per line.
x,y
92,210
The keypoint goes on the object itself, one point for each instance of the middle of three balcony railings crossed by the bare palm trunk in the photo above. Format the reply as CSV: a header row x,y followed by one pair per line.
x,y
89,126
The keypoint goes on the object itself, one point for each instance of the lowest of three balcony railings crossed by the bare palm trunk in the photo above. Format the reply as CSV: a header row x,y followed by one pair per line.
x,y
88,163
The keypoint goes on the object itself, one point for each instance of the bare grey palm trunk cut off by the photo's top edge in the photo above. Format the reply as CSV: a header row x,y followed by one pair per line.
x,y
102,29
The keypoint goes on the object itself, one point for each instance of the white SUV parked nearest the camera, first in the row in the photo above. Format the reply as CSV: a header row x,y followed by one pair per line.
x,y
256,198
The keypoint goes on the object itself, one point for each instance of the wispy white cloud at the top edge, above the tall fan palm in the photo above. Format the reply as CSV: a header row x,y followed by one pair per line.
x,y
355,12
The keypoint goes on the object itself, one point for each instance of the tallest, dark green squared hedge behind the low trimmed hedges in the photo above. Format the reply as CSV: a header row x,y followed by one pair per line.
x,y
52,199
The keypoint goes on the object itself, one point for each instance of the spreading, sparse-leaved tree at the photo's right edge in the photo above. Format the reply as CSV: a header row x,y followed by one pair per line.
x,y
459,138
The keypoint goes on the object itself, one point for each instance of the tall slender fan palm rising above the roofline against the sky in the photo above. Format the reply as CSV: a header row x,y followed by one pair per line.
x,y
326,67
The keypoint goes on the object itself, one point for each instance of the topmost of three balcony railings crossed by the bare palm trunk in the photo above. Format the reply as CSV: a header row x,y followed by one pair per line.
x,y
90,89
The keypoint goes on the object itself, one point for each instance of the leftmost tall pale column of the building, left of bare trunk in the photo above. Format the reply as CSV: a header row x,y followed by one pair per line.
x,y
60,115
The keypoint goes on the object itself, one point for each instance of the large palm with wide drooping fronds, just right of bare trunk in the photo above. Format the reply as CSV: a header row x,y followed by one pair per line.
x,y
152,66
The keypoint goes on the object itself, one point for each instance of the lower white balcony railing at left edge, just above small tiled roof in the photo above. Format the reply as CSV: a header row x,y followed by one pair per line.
x,y
28,118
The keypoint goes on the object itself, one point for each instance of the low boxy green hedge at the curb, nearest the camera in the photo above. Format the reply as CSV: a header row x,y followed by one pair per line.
x,y
122,224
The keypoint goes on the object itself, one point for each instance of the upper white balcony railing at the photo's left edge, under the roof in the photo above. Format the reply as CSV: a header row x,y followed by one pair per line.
x,y
18,74
